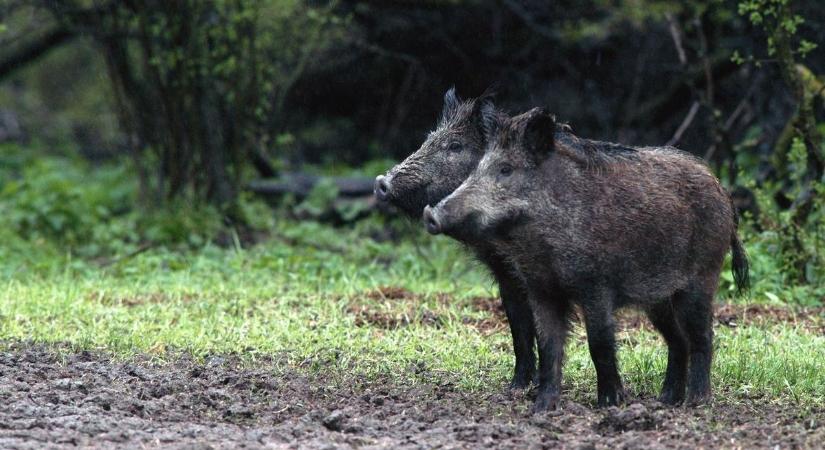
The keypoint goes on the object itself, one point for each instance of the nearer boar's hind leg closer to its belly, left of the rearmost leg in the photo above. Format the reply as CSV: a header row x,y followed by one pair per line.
x,y
663,318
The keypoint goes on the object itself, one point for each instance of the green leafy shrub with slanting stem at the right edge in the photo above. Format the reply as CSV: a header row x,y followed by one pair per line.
x,y
794,236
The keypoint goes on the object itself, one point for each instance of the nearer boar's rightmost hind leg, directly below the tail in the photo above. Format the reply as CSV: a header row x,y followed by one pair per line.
x,y
694,311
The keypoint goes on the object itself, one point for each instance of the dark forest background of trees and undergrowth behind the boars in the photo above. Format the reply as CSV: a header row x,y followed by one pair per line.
x,y
215,105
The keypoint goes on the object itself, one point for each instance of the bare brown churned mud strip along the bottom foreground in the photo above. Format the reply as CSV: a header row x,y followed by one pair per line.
x,y
68,400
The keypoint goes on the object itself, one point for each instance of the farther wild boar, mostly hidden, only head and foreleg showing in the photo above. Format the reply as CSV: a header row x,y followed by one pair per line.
x,y
445,159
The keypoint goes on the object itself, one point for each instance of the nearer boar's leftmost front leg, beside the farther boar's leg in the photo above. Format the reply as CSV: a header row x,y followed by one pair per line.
x,y
550,316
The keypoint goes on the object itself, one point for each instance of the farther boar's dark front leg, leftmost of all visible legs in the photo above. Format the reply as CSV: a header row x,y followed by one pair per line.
x,y
523,330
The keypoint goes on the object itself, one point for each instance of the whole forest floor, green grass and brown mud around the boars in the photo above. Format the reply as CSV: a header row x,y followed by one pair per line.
x,y
325,337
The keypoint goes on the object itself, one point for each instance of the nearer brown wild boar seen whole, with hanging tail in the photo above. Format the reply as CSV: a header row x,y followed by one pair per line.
x,y
601,226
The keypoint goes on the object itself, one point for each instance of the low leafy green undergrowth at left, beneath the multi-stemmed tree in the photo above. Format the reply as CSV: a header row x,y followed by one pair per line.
x,y
63,205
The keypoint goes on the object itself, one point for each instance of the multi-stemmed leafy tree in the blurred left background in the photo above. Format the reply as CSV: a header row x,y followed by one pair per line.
x,y
198,85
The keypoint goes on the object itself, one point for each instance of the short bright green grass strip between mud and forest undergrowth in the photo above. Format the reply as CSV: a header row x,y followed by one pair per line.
x,y
296,297
